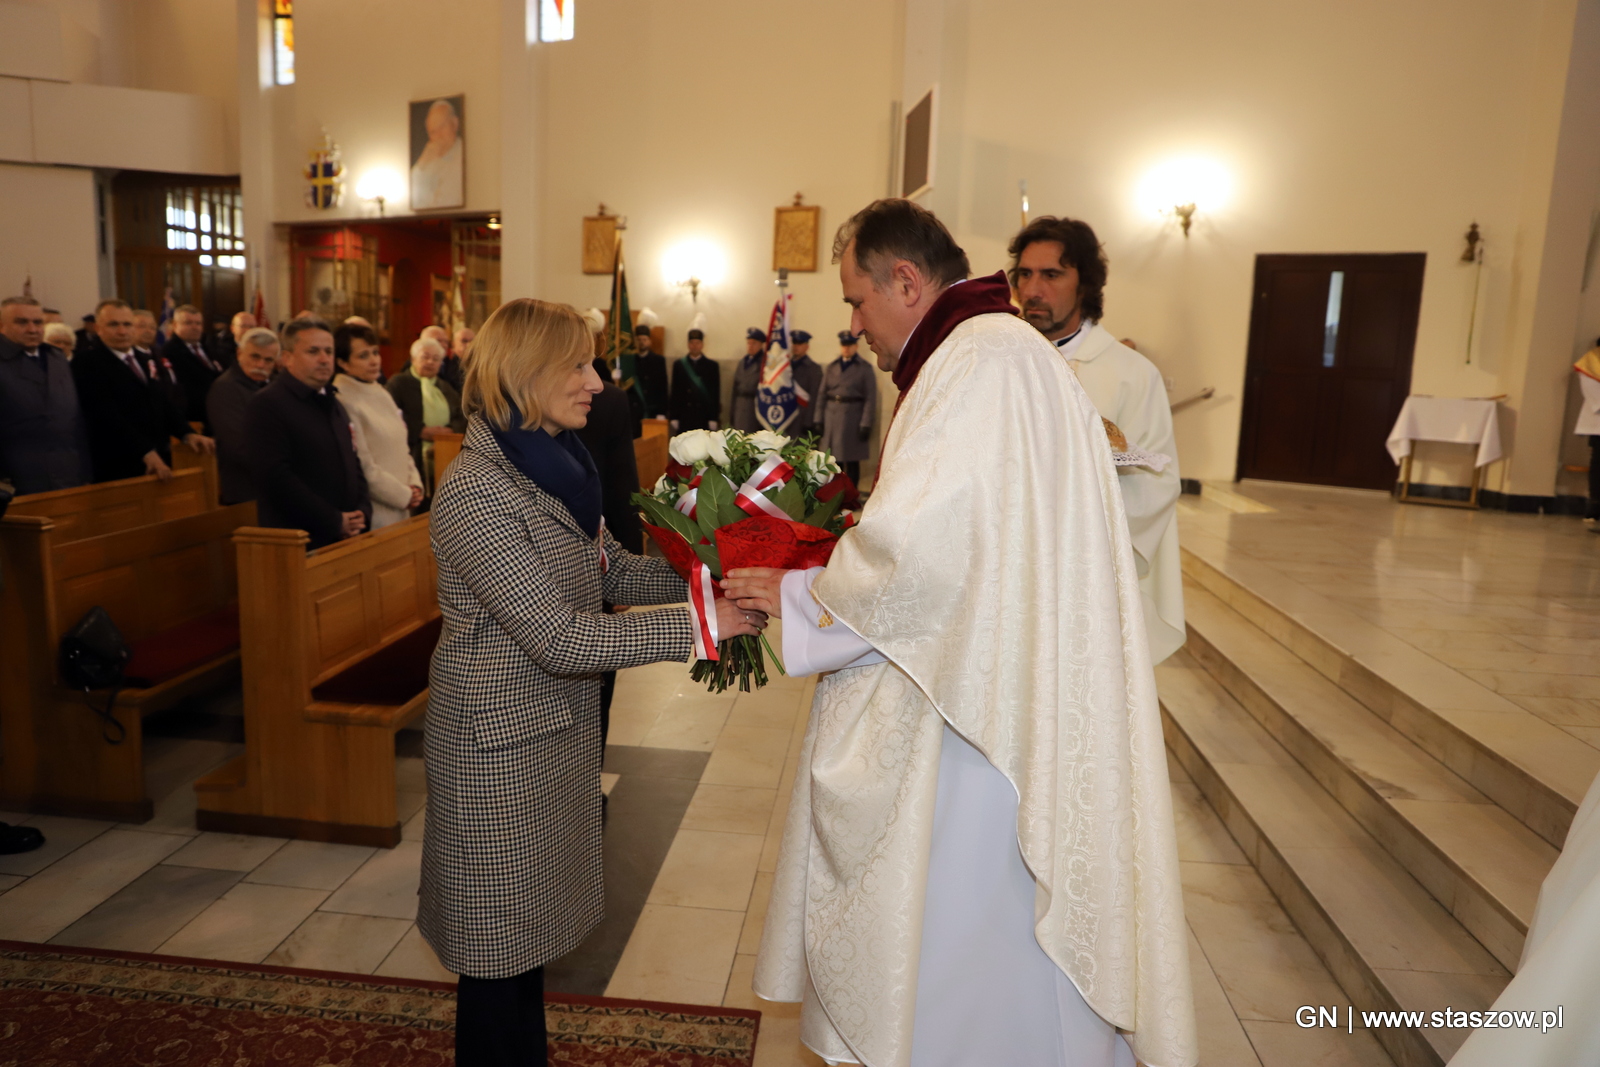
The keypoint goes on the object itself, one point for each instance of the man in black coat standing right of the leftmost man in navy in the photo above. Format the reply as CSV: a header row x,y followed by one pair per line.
x,y
129,414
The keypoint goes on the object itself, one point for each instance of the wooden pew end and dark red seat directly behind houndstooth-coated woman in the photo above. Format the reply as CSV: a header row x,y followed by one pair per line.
x,y
337,649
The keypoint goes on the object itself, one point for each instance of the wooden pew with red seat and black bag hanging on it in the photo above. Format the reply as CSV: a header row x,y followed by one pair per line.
x,y
170,588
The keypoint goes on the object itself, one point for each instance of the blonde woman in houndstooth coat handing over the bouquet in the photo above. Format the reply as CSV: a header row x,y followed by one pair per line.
x,y
511,857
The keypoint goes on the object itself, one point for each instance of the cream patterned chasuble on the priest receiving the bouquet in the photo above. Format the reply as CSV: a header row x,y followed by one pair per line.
x,y
994,575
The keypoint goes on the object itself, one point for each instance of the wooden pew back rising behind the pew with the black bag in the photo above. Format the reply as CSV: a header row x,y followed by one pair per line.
x,y
106,508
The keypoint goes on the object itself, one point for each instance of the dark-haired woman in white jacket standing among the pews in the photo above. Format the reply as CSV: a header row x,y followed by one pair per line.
x,y
380,430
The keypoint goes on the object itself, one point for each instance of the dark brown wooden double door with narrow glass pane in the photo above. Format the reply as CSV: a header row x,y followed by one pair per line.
x,y
1329,367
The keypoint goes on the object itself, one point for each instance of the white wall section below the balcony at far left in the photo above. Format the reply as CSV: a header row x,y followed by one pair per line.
x,y
54,241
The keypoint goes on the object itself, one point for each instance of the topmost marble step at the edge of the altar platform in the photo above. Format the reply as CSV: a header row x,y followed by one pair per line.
x,y
1516,759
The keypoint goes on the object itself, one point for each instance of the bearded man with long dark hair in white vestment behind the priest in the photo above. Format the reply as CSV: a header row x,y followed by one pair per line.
x,y
1058,273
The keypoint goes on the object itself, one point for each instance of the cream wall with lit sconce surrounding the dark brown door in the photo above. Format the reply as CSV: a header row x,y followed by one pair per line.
x,y
1367,127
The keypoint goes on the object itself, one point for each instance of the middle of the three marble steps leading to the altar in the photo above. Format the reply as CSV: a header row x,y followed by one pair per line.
x,y
1481,863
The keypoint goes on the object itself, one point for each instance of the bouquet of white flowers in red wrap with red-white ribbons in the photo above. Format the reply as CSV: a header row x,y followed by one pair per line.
x,y
737,500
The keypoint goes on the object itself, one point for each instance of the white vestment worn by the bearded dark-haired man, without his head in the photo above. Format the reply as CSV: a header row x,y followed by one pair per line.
x,y
1129,391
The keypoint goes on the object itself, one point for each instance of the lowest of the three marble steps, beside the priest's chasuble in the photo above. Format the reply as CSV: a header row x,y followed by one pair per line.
x,y
1385,938
